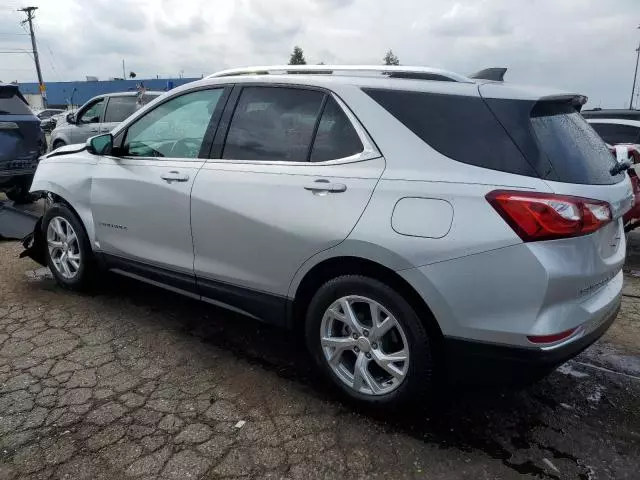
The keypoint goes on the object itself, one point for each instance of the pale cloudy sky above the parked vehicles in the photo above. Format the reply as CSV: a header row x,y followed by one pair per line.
x,y
585,46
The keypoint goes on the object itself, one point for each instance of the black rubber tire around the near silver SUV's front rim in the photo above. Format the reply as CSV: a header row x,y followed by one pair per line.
x,y
85,274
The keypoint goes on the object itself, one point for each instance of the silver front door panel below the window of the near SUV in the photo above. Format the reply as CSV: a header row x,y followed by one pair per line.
x,y
141,213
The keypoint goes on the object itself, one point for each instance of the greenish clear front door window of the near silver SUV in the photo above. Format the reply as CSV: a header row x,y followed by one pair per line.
x,y
174,129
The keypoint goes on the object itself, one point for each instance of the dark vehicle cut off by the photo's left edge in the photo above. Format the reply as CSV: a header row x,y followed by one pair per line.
x,y
22,141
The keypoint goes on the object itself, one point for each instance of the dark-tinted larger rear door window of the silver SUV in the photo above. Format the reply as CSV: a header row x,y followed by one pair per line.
x,y
273,123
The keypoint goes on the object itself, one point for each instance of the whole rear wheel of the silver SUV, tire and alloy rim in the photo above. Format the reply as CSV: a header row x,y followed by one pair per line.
x,y
369,341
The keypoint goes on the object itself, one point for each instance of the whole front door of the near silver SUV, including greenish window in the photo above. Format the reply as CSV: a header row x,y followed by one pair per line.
x,y
141,199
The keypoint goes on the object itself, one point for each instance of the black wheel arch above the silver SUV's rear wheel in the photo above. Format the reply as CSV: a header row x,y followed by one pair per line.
x,y
333,267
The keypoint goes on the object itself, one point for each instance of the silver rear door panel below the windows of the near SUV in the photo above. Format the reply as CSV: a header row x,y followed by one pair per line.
x,y
254,224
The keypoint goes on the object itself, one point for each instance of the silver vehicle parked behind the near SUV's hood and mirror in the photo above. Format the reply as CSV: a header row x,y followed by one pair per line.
x,y
101,114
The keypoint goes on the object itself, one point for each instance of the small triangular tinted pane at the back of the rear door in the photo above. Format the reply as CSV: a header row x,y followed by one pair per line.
x,y
336,138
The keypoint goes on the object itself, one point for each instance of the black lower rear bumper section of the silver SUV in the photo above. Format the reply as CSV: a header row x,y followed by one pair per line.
x,y
479,362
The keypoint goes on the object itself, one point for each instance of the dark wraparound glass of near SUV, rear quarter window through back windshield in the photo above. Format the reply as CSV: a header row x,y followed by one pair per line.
x,y
549,140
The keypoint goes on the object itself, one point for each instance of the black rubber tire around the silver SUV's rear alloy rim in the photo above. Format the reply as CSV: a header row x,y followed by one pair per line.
x,y
419,378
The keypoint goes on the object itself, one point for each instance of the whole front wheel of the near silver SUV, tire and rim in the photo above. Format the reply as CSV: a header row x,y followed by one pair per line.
x,y
68,251
